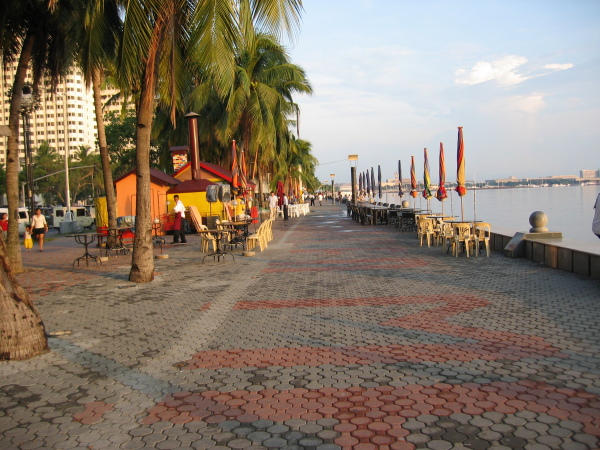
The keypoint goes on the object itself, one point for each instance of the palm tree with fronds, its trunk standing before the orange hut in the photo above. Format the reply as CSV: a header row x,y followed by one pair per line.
x,y
153,50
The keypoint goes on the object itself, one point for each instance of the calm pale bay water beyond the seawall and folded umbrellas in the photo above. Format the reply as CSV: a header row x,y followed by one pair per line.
x,y
570,209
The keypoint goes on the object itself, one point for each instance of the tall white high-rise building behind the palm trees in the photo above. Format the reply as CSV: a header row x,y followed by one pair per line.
x,y
64,117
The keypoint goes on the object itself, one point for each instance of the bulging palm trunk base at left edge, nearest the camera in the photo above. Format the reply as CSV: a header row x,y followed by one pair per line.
x,y
22,333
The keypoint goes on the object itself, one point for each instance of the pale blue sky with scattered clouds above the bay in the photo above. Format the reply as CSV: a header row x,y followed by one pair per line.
x,y
392,77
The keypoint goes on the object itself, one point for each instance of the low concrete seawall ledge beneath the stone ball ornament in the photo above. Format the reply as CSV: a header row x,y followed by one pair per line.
x,y
552,251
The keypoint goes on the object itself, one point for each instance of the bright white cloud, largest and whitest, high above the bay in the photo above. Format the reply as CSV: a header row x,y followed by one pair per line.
x,y
503,70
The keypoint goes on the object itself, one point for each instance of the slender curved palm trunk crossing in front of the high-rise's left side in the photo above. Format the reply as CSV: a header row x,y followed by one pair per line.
x,y
13,246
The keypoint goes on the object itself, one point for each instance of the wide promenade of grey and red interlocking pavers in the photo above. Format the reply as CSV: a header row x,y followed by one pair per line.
x,y
337,336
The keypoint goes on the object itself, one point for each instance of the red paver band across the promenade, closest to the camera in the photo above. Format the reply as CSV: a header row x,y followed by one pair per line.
x,y
372,421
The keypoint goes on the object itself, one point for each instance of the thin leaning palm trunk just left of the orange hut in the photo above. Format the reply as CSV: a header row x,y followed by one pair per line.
x,y
109,189
